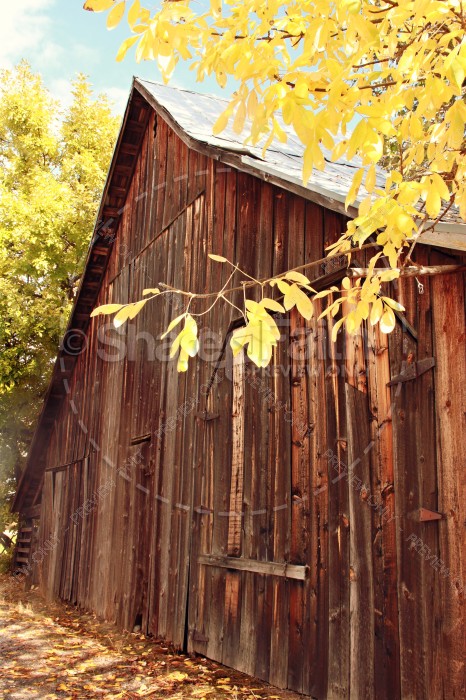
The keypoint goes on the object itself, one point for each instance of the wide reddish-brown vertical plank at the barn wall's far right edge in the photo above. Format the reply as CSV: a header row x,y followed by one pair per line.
x,y
449,336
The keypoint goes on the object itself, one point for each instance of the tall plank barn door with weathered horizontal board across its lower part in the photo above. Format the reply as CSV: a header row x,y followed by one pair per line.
x,y
249,576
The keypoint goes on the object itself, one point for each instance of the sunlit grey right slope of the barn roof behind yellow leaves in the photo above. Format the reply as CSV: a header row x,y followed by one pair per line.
x,y
193,115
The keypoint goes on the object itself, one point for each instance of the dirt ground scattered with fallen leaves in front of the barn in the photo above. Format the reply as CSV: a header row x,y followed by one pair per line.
x,y
56,651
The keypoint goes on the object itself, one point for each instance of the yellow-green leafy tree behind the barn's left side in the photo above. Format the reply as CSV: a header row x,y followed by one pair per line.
x,y
53,164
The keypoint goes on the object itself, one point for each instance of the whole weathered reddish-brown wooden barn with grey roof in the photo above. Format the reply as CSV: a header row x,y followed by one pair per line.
x,y
303,523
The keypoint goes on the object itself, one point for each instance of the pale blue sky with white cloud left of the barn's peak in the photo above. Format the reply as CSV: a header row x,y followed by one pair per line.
x,y
60,39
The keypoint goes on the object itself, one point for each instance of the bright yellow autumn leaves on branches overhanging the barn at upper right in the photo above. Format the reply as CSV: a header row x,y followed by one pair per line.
x,y
345,76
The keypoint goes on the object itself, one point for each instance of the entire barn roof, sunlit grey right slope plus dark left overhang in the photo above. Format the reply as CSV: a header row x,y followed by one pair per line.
x,y
191,116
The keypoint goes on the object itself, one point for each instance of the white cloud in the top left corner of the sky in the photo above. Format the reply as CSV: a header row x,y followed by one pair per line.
x,y
23,29
